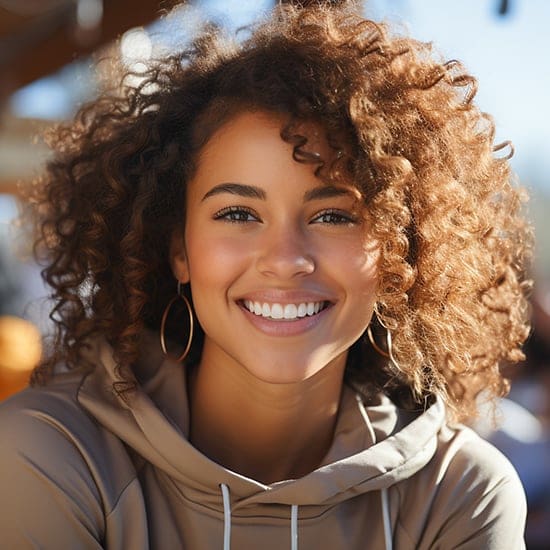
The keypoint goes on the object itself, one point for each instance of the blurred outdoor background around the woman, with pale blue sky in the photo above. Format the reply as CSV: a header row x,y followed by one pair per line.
x,y
51,55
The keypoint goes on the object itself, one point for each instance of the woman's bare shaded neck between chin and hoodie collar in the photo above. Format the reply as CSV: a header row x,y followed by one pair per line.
x,y
268,432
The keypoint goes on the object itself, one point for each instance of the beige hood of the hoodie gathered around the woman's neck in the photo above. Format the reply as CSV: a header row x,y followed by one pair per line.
x,y
374,446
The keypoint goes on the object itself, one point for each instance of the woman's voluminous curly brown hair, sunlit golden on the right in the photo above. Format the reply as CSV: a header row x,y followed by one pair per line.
x,y
452,286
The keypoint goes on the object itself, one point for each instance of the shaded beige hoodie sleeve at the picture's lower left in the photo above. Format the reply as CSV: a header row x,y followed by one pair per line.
x,y
48,497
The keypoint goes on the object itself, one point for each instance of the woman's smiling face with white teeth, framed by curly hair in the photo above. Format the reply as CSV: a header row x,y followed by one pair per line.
x,y
282,273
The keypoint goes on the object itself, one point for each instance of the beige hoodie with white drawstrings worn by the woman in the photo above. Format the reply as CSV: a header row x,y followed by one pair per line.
x,y
79,468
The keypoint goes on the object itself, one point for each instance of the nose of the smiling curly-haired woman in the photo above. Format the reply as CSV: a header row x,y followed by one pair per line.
x,y
286,253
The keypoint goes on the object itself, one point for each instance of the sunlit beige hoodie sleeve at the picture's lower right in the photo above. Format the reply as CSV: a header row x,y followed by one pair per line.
x,y
478,500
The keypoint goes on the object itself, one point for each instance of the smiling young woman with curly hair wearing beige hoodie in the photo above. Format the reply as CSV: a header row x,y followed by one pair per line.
x,y
285,270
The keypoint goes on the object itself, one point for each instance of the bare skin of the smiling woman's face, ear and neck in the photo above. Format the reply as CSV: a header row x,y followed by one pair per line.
x,y
261,228
